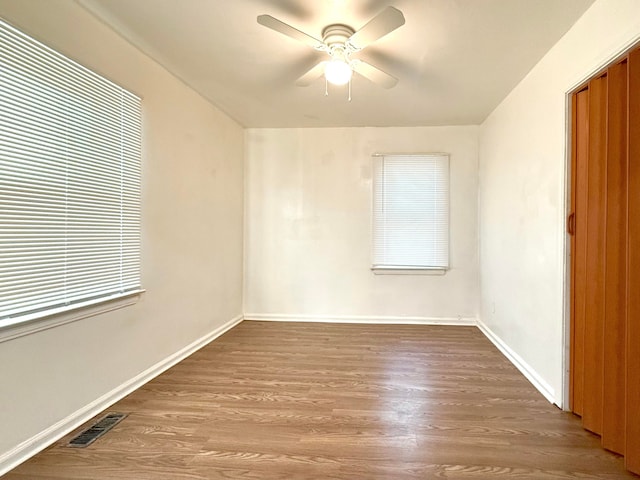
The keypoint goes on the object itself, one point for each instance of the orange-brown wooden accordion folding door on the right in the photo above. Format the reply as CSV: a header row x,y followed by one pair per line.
x,y
605,257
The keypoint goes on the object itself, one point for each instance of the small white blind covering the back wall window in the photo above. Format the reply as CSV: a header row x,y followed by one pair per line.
x,y
411,212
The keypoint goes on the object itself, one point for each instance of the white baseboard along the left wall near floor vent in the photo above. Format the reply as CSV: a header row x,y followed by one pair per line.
x,y
42,440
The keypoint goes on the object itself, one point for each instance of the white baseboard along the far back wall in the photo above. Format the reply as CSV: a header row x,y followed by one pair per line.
x,y
275,317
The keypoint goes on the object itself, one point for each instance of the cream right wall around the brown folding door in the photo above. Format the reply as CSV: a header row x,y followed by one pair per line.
x,y
522,191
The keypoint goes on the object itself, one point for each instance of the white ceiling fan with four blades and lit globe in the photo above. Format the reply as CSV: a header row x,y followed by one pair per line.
x,y
340,41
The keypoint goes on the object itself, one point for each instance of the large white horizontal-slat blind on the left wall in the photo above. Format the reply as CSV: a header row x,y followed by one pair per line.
x,y
70,173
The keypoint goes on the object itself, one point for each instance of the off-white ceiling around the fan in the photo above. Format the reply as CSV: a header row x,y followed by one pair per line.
x,y
455,59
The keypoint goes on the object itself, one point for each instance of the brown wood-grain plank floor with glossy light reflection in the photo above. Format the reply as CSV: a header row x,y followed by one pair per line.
x,y
329,401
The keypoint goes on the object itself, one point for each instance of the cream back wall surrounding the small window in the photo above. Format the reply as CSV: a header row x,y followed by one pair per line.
x,y
308,233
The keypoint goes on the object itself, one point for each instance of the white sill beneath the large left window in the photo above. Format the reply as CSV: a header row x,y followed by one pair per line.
x,y
60,316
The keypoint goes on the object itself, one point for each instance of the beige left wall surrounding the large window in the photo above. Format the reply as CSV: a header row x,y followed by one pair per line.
x,y
192,237
